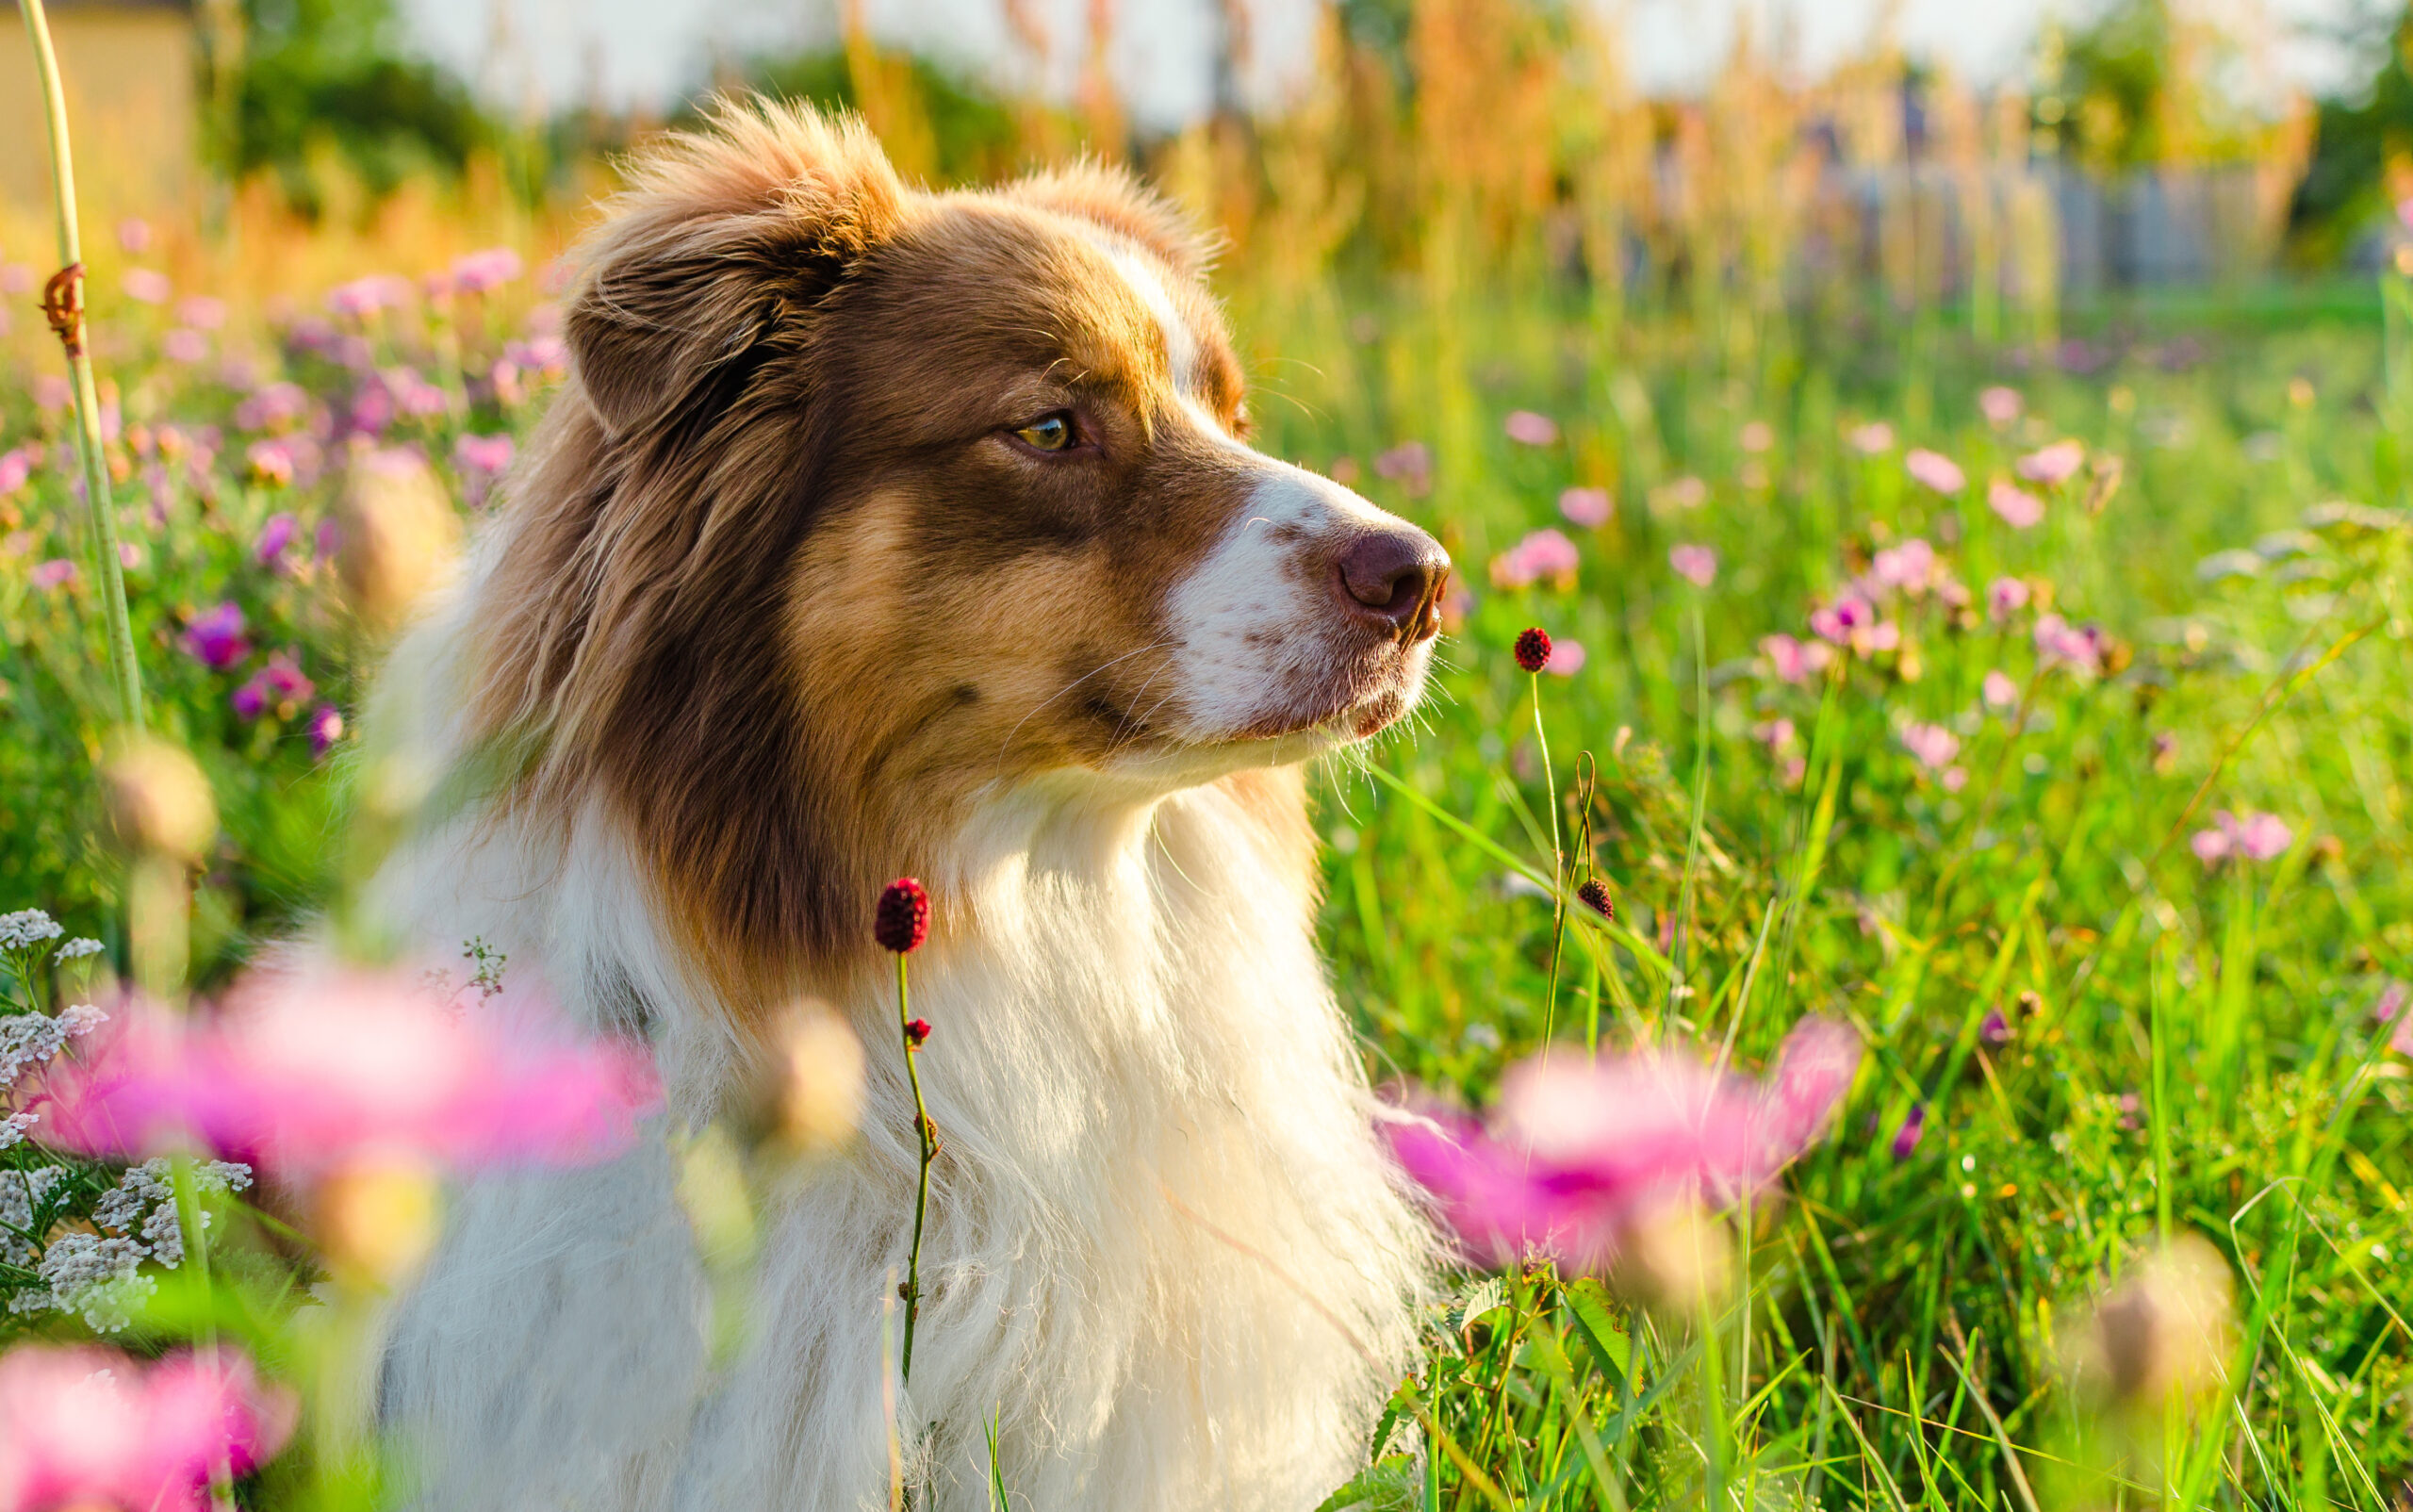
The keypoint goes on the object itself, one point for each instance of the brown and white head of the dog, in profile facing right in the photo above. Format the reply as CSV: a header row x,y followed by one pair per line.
x,y
867,503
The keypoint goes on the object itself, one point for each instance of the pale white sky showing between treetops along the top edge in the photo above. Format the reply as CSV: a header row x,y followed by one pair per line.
x,y
655,52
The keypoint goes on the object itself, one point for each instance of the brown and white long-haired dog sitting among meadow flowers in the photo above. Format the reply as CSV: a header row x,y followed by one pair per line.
x,y
889,532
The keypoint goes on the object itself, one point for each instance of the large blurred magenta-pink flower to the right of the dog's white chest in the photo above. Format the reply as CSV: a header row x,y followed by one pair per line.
x,y
1582,1151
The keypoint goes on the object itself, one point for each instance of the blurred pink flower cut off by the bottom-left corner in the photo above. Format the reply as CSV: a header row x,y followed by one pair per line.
x,y
98,1429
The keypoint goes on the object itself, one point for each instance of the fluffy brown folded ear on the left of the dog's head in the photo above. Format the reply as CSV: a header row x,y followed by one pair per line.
x,y
720,240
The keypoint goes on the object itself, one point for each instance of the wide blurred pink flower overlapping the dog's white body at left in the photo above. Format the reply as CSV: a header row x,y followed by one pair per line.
x,y
315,1069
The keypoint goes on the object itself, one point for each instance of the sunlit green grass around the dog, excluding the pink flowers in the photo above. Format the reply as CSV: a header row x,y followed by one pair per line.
x,y
2190,1050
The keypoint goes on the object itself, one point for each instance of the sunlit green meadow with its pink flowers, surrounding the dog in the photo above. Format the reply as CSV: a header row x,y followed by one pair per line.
x,y
2018,686
